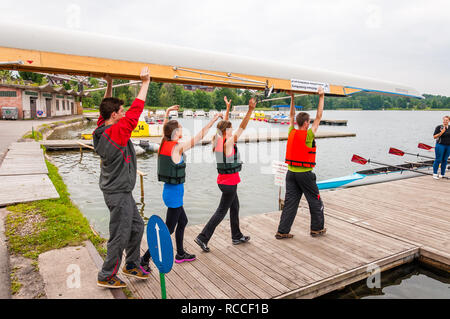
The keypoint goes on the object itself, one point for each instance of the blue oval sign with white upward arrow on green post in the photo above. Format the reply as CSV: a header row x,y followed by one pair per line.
x,y
161,249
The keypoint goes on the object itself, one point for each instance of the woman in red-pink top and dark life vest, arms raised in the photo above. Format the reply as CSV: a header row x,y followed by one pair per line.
x,y
228,167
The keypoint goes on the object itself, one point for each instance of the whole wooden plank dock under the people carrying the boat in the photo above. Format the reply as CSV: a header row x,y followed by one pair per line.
x,y
382,225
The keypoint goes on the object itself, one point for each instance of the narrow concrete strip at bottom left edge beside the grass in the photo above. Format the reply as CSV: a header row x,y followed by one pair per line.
x,y
5,285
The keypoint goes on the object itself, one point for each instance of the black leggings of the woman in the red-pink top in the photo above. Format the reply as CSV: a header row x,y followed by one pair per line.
x,y
228,201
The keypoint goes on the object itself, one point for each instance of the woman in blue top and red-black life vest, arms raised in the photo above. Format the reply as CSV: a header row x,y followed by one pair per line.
x,y
172,171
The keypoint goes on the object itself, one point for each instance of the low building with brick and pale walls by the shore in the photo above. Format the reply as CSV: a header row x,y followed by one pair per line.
x,y
40,101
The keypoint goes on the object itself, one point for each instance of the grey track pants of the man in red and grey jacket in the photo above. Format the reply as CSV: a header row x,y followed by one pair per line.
x,y
126,228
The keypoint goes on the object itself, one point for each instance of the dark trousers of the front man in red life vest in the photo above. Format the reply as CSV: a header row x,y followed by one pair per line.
x,y
298,184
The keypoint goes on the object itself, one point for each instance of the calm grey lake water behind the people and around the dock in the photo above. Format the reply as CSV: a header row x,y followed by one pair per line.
x,y
376,131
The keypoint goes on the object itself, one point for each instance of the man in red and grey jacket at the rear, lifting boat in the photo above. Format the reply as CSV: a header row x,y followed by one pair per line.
x,y
117,179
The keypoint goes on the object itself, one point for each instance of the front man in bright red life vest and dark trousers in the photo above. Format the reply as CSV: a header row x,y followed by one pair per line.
x,y
301,159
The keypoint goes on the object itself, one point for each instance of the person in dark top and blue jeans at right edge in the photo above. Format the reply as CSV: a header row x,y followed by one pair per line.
x,y
442,148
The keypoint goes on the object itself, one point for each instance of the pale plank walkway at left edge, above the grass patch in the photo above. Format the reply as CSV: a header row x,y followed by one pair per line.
x,y
23,175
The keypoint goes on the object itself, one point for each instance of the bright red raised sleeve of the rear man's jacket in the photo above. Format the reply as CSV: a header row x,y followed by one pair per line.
x,y
121,131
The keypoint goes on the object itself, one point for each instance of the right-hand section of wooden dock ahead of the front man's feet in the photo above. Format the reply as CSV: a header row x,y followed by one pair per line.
x,y
415,210
